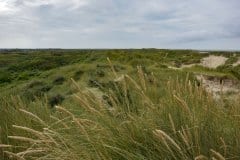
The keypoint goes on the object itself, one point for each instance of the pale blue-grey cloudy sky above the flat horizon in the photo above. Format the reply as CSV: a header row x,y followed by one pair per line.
x,y
182,24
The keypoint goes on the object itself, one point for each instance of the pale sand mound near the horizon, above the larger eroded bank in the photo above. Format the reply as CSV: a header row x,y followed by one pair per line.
x,y
213,61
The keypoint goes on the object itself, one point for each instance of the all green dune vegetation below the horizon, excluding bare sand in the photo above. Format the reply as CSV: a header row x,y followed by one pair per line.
x,y
116,104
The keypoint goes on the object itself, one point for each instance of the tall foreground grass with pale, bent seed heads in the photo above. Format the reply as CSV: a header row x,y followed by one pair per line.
x,y
135,121
